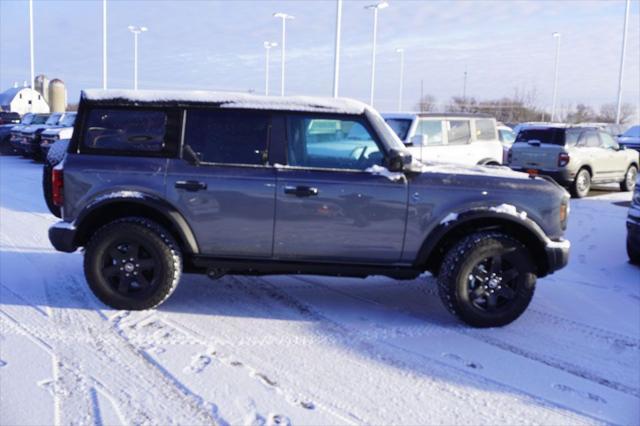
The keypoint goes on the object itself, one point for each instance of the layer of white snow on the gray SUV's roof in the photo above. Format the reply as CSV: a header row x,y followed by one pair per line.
x,y
230,100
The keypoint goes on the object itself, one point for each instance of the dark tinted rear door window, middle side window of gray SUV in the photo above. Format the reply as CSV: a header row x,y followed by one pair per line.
x,y
228,137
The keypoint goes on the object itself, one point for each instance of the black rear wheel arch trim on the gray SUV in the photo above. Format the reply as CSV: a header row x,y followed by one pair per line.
x,y
100,213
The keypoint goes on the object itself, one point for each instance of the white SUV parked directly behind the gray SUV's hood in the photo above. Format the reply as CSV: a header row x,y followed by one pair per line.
x,y
452,138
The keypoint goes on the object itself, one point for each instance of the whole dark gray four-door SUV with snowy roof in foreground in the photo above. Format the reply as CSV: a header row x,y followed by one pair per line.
x,y
159,183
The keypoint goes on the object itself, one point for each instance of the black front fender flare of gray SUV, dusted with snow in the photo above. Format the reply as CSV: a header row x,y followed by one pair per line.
x,y
485,218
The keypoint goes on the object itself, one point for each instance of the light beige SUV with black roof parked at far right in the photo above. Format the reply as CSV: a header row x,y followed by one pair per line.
x,y
576,157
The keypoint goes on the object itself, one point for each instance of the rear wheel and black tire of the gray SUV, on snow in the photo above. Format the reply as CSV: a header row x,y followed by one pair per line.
x,y
142,283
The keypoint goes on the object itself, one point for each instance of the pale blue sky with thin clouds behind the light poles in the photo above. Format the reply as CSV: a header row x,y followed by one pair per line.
x,y
504,45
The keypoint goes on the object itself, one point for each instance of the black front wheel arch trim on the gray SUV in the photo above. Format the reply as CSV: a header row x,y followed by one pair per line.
x,y
439,241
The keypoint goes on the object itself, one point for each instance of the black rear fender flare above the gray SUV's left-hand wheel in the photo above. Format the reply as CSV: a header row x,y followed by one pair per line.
x,y
161,207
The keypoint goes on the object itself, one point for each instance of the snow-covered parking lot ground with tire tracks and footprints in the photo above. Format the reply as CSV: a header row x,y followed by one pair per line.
x,y
310,350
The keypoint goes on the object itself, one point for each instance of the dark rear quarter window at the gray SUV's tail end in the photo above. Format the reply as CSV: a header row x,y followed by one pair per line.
x,y
131,131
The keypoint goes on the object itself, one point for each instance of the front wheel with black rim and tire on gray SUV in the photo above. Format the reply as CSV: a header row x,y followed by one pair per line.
x,y
487,279
